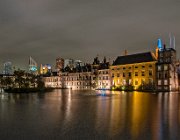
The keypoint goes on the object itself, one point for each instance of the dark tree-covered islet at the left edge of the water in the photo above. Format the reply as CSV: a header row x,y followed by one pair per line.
x,y
23,82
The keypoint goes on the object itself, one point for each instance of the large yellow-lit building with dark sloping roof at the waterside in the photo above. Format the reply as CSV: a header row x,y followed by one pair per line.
x,y
134,70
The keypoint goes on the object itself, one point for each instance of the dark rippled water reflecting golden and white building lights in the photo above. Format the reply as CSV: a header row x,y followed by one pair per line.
x,y
66,114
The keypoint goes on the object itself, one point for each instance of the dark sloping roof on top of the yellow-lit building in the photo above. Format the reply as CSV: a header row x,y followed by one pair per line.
x,y
134,58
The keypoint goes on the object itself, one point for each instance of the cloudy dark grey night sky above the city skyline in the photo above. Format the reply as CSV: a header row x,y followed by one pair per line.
x,y
81,29
